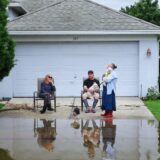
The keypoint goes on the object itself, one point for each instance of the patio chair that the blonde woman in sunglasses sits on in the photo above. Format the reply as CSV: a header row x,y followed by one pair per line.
x,y
36,97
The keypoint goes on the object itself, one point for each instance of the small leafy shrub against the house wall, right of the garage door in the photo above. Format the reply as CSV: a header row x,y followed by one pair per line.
x,y
153,93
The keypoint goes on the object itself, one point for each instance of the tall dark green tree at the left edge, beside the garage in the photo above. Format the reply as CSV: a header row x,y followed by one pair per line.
x,y
6,43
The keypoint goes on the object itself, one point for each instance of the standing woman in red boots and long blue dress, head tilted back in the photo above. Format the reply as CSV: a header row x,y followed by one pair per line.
x,y
109,88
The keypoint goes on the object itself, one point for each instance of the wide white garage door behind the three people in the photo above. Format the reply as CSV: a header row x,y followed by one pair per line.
x,y
69,63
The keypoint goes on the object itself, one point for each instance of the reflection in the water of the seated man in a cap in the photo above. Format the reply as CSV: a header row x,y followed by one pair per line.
x,y
91,137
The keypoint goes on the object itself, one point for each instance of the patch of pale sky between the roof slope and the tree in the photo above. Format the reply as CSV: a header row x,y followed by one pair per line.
x,y
116,4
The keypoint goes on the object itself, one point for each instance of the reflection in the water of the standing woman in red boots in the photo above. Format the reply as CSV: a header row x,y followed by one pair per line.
x,y
109,134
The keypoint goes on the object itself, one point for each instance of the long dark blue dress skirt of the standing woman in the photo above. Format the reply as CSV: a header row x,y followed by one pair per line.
x,y
108,101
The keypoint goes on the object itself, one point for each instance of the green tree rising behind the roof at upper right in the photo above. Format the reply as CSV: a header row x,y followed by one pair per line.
x,y
147,10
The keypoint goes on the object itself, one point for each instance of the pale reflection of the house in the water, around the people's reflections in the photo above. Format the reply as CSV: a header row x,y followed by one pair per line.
x,y
135,140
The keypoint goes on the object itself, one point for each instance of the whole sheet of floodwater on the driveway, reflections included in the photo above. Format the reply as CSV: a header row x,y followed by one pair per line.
x,y
39,139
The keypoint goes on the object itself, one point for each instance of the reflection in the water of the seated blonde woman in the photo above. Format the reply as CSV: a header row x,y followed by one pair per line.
x,y
46,135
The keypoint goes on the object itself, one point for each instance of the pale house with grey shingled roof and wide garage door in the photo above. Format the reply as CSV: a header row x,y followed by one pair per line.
x,y
69,37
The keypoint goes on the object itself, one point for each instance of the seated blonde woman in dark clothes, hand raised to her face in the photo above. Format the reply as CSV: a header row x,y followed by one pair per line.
x,y
47,88
